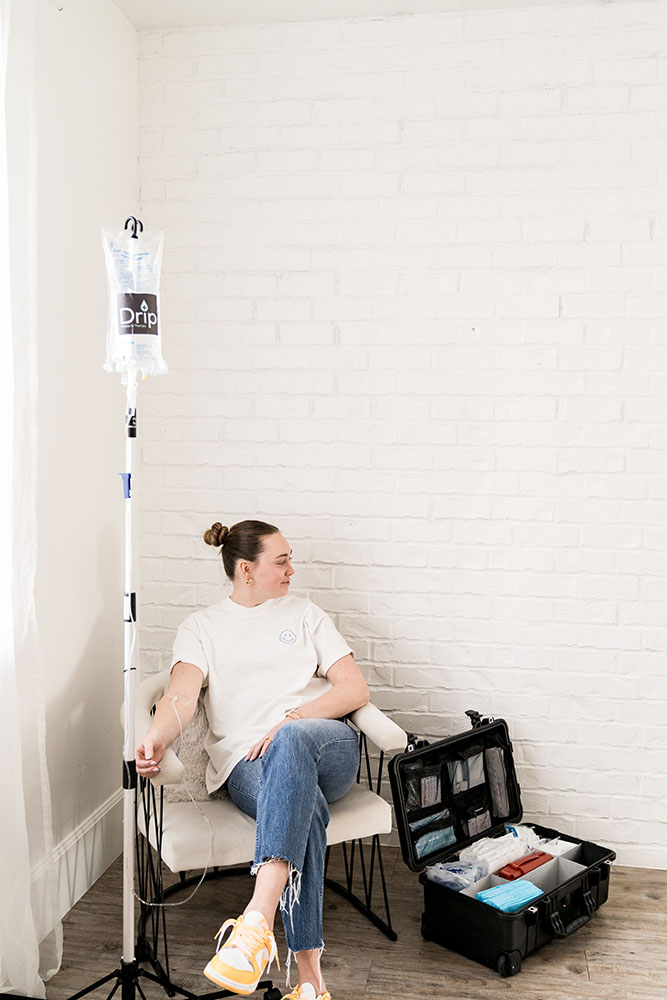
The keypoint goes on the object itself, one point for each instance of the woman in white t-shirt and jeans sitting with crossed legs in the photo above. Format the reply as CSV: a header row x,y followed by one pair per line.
x,y
278,679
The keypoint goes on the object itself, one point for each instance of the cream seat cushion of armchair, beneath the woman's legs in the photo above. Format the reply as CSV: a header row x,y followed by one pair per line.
x,y
189,843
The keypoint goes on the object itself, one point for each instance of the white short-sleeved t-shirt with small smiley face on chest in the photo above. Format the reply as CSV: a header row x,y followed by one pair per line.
x,y
257,663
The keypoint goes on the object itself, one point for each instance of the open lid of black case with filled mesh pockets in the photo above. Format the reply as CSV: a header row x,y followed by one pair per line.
x,y
451,793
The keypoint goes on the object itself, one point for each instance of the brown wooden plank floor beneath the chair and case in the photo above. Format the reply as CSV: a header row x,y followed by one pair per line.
x,y
620,955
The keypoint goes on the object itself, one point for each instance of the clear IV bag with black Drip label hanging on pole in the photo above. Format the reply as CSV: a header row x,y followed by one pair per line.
x,y
134,343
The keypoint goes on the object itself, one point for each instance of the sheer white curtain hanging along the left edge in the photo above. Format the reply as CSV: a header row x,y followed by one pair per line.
x,y
30,931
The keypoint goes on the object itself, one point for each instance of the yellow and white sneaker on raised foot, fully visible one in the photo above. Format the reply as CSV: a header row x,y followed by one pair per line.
x,y
238,965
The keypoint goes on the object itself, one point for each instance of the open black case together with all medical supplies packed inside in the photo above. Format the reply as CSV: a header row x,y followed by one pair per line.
x,y
495,889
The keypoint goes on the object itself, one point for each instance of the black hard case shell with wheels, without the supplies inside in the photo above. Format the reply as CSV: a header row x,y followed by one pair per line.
x,y
574,886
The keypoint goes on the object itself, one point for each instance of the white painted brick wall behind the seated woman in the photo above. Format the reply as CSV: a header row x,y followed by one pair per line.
x,y
414,312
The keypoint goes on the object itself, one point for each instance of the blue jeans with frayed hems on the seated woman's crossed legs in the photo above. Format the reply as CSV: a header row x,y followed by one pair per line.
x,y
311,762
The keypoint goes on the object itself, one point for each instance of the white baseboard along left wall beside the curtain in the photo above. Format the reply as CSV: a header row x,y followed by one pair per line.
x,y
84,854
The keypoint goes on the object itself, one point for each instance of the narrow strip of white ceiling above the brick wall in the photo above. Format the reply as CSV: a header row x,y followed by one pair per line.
x,y
146,14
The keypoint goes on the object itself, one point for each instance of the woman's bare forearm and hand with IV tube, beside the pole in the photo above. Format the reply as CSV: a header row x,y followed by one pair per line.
x,y
172,714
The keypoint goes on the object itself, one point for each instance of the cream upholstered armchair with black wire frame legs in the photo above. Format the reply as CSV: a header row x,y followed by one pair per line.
x,y
223,838
